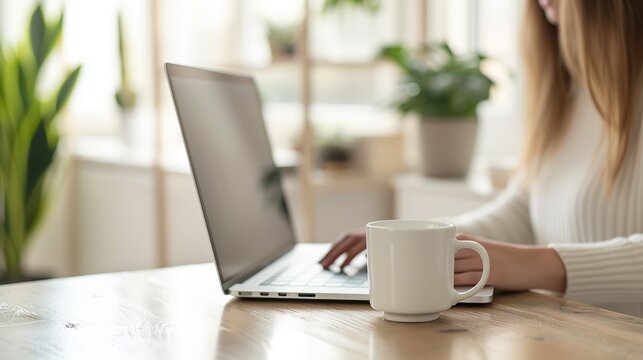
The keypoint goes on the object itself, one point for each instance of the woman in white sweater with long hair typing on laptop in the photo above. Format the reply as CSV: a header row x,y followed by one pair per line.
x,y
572,220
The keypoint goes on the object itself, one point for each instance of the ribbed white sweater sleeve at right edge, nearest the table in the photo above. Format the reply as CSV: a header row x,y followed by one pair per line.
x,y
606,271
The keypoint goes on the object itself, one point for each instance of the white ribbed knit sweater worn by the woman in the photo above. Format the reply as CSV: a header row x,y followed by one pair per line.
x,y
598,237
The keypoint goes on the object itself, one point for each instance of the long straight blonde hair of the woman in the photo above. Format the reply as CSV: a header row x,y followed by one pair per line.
x,y
596,45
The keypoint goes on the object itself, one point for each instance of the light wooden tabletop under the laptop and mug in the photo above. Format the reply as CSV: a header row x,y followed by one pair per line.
x,y
180,313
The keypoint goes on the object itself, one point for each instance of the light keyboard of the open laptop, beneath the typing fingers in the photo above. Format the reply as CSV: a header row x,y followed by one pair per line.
x,y
315,275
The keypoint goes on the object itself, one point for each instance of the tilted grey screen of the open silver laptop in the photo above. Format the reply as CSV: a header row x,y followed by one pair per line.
x,y
238,183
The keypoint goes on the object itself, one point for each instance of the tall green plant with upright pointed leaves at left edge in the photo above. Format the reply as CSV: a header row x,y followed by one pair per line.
x,y
29,136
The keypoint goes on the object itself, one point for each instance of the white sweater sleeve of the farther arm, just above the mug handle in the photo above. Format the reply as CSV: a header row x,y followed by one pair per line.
x,y
506,218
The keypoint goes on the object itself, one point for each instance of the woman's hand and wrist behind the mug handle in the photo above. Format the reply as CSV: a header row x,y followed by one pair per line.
x,y
513,267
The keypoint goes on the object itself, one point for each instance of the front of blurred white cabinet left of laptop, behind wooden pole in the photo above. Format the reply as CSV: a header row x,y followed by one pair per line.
x,y
117,227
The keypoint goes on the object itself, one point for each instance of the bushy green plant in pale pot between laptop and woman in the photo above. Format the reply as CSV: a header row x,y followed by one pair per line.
x,y
443,89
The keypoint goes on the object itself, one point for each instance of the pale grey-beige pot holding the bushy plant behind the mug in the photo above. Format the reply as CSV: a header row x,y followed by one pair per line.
x,y
447,146
